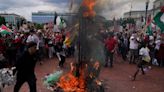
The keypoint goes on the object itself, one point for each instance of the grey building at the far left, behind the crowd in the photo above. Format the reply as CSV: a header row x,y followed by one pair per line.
x,y
13,20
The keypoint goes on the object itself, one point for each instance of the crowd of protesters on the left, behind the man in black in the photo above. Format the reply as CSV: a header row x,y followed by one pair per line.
x,y
49,44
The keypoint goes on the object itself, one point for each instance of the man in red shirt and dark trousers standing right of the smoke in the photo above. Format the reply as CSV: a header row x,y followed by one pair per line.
x,y
110,44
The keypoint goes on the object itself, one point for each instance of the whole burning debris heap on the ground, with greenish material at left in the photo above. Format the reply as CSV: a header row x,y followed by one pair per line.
x,y
86,82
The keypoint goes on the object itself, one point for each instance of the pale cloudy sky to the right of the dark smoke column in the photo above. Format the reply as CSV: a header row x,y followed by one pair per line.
x,y
115,8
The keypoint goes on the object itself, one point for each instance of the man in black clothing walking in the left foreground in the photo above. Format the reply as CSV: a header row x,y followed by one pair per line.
x,y
25,67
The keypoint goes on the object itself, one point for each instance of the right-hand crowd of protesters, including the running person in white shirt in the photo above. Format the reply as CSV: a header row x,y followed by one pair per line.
x,y
136,47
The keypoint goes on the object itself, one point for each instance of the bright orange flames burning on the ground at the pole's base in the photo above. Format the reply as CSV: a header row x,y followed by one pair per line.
x,y
70,83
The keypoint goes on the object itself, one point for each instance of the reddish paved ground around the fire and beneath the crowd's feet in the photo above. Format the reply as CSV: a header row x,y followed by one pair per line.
x,y
116,79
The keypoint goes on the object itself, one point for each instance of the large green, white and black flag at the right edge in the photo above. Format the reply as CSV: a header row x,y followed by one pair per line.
x,y
159,19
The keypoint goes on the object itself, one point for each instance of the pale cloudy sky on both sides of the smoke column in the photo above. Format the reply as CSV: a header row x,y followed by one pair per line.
x,y
108,8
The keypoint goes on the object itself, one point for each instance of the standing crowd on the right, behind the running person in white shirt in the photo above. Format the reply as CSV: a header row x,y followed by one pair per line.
x,y
128,44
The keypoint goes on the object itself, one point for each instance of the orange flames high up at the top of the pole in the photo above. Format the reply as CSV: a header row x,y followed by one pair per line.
x,y
89,5
